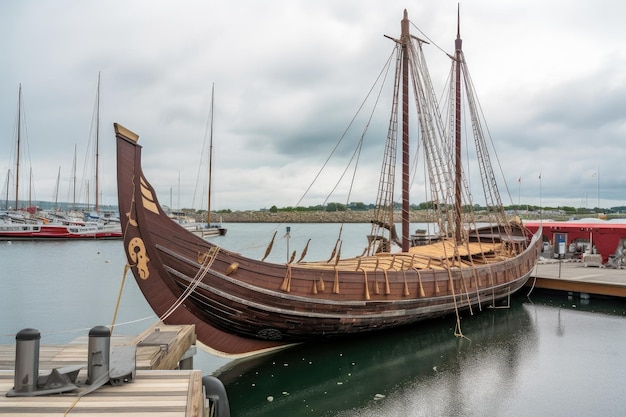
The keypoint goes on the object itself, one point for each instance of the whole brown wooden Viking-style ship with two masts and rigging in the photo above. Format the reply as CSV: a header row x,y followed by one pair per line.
x,y
241,305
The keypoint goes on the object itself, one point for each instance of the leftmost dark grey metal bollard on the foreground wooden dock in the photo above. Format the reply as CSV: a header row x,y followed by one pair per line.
x,y
26,361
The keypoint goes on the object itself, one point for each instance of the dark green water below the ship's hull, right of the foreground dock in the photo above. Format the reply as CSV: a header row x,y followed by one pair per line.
x,y
549,356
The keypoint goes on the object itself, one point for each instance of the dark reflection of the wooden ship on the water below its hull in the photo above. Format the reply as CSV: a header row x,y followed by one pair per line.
x,y
423,370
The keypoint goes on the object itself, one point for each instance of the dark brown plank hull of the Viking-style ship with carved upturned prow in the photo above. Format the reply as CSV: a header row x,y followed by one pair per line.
x,y
240,305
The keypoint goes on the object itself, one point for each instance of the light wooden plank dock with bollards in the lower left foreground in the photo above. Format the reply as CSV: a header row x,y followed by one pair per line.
x,y
163,383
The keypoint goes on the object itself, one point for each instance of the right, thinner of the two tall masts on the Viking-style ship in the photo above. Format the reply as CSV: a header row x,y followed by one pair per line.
x,y
457,128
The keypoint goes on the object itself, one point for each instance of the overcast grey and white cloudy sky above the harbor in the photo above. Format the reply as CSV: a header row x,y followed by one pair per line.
x,y
289,76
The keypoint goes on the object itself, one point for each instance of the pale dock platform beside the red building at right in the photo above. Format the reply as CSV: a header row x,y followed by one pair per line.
x,y
578,276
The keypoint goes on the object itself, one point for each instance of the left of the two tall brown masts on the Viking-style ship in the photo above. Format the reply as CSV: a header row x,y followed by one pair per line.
x,y
406,41
